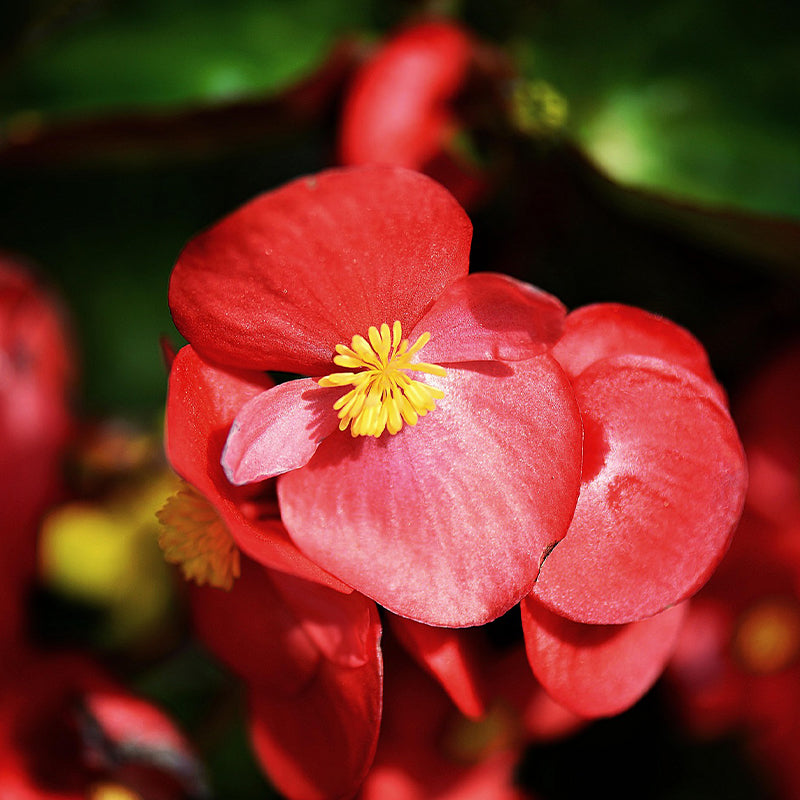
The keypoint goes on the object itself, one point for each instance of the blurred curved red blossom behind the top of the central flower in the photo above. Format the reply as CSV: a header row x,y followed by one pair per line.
x,y
399,109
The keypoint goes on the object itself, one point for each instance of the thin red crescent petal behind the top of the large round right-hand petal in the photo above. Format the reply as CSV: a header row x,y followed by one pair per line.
x,y
610,329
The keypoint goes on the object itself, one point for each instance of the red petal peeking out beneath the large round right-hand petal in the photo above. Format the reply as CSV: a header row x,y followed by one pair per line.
x,y
598,670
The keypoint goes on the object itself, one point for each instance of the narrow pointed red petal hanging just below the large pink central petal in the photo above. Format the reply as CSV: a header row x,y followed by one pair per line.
x,y
449,656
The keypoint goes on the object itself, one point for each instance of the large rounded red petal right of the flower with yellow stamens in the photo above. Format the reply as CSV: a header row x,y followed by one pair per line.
x,y
663,486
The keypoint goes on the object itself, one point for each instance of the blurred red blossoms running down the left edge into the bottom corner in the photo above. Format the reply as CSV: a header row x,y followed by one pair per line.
x,y
68,731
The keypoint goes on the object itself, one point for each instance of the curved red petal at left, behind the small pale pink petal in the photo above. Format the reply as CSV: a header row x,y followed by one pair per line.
x,y
202,401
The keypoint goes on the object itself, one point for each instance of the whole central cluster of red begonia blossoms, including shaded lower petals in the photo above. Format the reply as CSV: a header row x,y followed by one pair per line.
x,y
455,445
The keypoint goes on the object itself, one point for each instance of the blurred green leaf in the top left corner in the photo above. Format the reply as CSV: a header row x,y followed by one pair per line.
x,y
149,53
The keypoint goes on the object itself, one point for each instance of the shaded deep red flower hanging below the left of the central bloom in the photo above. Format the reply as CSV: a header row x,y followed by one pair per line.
x,y
311,661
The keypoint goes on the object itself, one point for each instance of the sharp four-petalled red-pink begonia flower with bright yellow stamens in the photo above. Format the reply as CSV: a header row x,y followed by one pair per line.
x,y
446,521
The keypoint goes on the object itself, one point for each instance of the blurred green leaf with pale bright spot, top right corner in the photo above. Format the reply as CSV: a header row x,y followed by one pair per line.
x,y
695,99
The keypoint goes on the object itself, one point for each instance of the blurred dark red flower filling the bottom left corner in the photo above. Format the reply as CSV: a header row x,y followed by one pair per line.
x,y
68,732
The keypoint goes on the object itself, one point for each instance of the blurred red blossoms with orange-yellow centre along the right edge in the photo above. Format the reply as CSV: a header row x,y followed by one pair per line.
x,y
737,665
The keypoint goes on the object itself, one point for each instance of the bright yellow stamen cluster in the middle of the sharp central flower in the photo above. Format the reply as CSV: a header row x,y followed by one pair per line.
x,y
383,395
